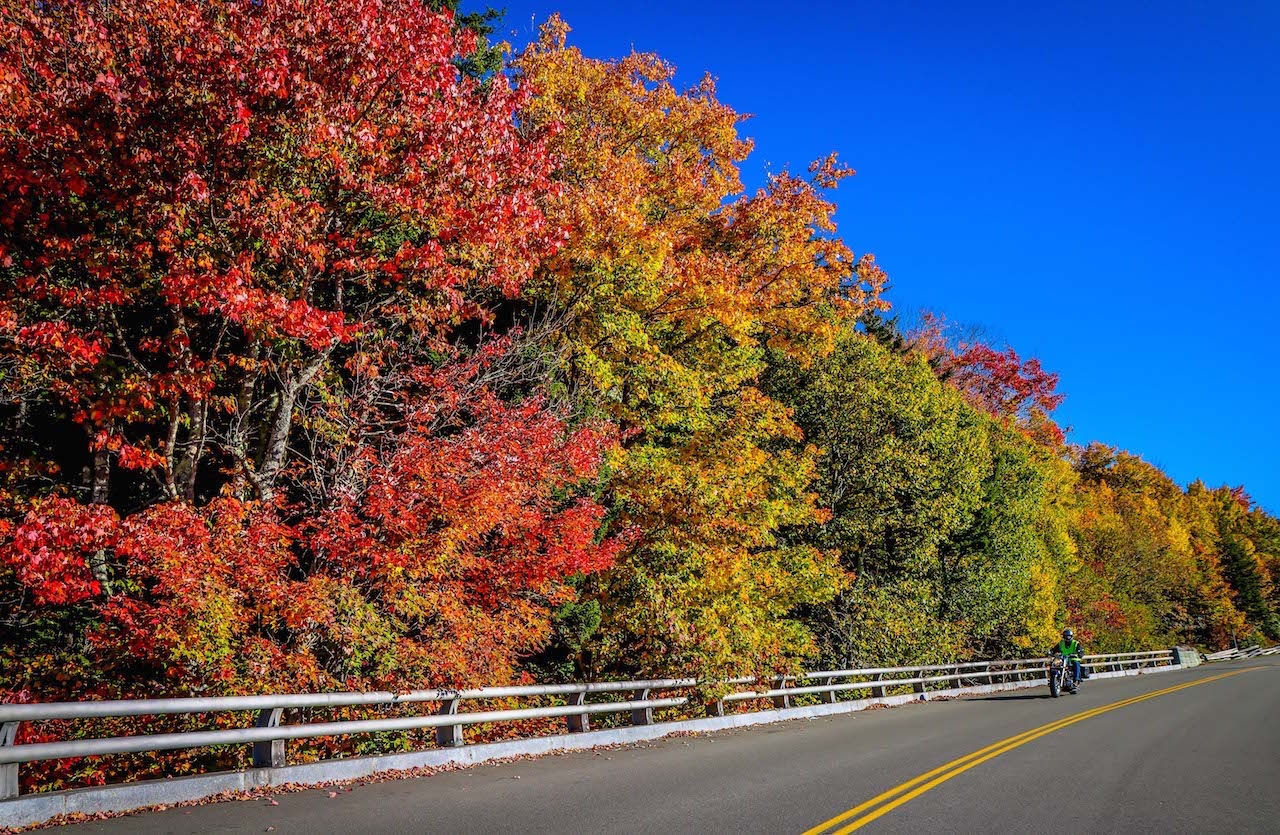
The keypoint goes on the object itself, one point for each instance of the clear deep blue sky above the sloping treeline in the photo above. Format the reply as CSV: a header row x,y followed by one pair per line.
x,y
1095,185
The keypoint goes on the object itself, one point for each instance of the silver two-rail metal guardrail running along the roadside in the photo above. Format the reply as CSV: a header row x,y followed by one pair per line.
x,y
268,736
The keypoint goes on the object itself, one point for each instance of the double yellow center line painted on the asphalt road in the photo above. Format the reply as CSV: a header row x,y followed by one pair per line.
x,y
892,800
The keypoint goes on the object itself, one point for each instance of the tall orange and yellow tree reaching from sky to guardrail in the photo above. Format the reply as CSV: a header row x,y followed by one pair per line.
x,y
668,293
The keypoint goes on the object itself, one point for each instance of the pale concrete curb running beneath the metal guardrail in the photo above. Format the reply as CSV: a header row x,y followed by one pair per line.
x,y
39,809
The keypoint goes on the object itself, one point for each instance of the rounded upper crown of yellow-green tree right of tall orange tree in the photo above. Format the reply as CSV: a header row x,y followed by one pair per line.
x,y
900,457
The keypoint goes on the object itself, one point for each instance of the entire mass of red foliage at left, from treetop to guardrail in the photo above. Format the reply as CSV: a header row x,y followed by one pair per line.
x,y
262,425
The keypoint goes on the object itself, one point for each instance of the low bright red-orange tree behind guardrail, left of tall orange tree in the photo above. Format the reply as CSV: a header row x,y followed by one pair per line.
x,y
464,533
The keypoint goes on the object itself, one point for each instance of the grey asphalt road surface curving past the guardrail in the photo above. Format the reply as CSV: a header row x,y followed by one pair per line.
x,y
1203,759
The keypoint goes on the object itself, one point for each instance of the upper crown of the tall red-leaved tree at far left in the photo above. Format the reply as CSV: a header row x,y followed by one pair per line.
x,y
198,194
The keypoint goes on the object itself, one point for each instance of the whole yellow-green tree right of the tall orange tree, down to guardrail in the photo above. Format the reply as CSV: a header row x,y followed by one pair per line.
x,y
899,468
